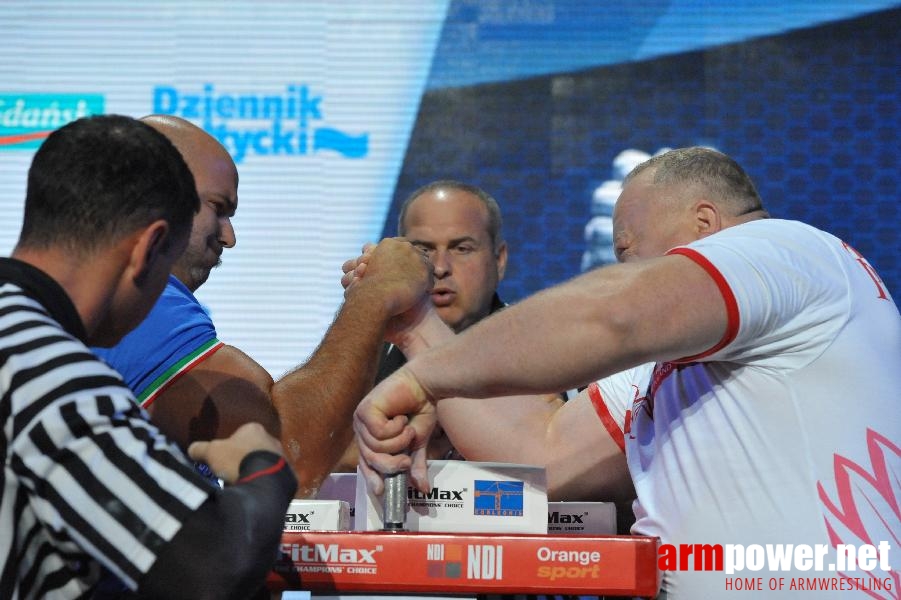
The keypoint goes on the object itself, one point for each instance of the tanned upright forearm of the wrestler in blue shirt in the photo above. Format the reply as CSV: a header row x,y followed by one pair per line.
x,y
316,401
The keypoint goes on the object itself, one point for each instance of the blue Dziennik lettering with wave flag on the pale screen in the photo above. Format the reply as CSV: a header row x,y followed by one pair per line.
x,y
267,124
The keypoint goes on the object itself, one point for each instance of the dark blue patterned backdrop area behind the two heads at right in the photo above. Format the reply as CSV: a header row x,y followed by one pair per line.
x,y
811,113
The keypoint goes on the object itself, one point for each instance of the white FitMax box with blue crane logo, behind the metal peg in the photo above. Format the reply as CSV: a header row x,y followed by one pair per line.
x,y
467,497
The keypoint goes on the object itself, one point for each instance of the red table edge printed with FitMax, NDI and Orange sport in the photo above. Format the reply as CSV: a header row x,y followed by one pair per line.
x,y
468,564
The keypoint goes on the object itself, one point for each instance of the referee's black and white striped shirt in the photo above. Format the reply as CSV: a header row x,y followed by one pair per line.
x,y
87,481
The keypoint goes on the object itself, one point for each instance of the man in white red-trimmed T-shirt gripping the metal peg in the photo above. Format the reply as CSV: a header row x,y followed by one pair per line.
x,y
770,417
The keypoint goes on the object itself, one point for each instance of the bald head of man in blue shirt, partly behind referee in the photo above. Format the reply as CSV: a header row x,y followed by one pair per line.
x,y
216,178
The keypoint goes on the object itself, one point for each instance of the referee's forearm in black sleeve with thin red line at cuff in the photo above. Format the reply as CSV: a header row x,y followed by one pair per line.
x,y
227,546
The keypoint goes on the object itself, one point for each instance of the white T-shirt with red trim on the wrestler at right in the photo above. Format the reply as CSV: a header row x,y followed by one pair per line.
x,y
788,430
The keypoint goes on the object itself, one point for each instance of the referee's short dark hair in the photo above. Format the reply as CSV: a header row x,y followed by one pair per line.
x,y
103,177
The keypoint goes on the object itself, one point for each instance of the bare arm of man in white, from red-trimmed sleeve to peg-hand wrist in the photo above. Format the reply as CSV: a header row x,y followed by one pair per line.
x,y
595,325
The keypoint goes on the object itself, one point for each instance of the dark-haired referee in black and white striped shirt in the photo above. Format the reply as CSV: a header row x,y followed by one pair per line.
x,y
89,487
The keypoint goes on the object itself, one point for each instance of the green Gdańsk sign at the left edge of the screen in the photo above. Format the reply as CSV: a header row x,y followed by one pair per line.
x,y
27,119
